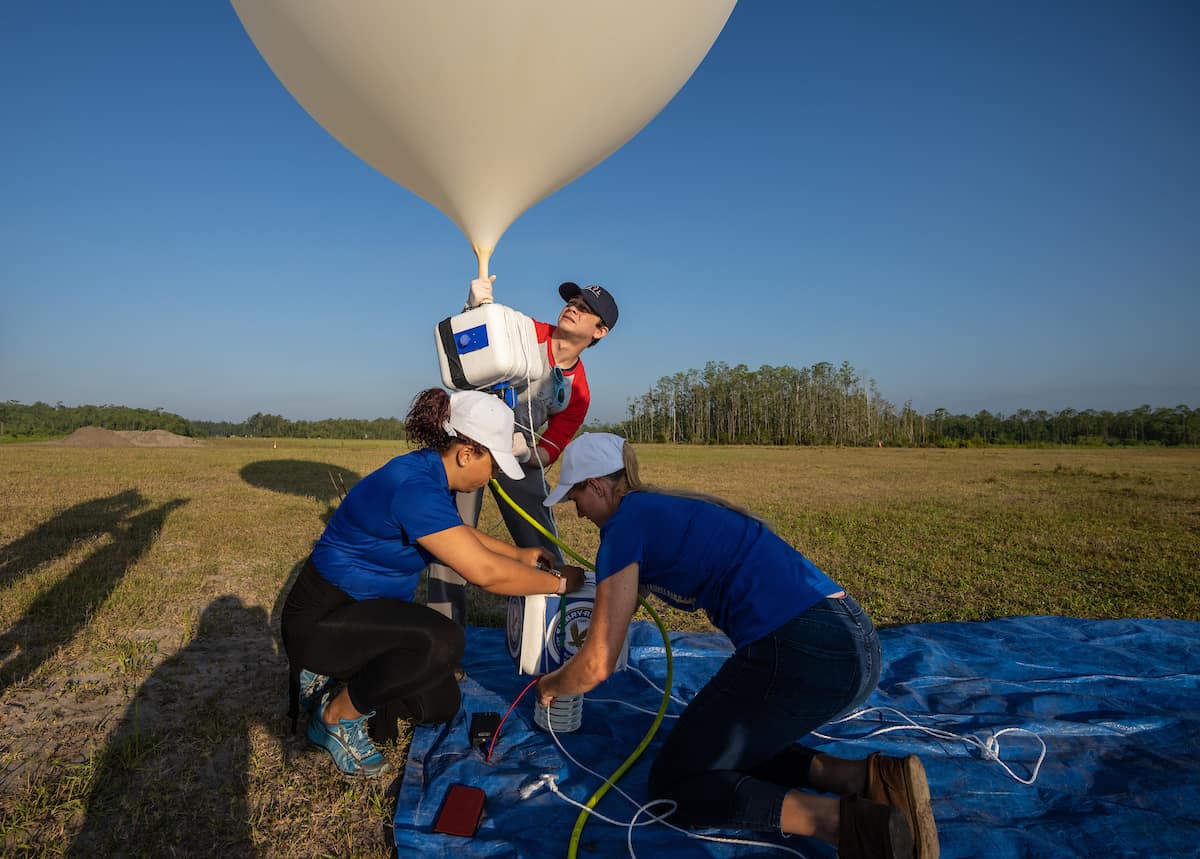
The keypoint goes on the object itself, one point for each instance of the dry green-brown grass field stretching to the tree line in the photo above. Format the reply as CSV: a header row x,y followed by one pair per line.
x,y
142,686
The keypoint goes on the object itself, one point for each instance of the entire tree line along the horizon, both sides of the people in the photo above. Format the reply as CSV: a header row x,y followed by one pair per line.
x,y
821,405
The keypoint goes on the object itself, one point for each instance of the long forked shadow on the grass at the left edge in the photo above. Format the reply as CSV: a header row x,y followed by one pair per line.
x,y
58,614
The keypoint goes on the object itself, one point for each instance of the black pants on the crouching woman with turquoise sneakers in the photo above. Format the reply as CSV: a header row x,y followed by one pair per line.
x,y
397,658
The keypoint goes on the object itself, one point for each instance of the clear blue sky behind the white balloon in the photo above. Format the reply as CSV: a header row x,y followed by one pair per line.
x,y
979,206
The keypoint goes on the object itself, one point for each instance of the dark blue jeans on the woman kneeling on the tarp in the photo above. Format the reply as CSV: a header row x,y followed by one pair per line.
x,y
734,754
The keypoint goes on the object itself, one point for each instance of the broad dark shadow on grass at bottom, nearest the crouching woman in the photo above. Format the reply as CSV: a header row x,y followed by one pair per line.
x,y
173,779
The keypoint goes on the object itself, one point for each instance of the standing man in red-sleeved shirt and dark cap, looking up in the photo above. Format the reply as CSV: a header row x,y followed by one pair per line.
x,y
549,415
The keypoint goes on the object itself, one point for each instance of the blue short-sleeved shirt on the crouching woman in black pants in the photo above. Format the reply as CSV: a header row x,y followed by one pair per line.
x,y
369,549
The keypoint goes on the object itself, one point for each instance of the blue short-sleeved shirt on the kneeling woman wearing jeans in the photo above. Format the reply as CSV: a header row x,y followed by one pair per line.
x,y
701,556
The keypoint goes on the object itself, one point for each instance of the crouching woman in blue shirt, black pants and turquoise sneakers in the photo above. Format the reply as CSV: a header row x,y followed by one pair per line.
x,y
350,616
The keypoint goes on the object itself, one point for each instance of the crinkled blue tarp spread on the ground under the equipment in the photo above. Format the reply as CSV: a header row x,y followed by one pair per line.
x,y
1118,704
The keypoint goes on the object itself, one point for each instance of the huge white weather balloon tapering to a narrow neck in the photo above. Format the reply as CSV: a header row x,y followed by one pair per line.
x,y
484,107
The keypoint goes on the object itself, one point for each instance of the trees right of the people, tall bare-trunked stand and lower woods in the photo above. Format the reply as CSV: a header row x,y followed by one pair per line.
x,y
835,406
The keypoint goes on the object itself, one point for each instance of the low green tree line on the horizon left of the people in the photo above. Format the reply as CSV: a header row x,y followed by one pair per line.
x,y
41,421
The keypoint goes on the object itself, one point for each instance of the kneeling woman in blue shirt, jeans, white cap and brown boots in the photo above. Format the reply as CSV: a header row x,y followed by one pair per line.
x,y
806,653
